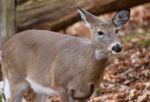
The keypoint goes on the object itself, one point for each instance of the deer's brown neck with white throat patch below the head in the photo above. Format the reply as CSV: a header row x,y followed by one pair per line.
x,y
97,61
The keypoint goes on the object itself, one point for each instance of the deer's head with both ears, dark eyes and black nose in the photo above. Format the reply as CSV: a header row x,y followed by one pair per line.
x,y
104,32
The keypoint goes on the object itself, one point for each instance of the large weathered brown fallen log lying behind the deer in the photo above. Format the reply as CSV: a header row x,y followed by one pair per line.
x,y
58,14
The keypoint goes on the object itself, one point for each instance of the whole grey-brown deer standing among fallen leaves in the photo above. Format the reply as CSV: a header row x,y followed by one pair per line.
x,y
52,63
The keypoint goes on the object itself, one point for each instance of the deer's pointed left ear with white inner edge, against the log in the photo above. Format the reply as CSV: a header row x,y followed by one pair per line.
x,y
86,17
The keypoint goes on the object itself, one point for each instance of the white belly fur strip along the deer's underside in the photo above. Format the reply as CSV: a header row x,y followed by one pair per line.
x,y
41,89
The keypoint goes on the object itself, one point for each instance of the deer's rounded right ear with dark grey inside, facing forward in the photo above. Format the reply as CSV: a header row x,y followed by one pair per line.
x,y
121,18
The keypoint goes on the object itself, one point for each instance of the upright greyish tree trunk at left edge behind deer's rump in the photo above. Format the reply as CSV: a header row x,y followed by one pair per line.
x,y
7,20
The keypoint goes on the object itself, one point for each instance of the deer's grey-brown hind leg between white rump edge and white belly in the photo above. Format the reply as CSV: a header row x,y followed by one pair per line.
x,y
18,90
